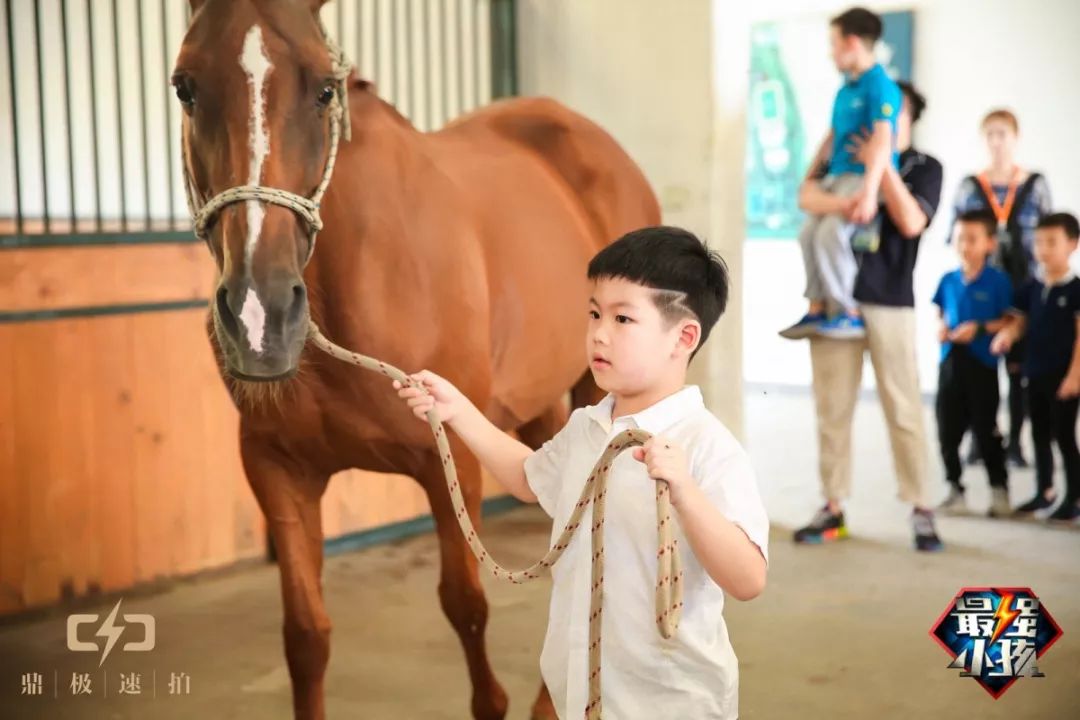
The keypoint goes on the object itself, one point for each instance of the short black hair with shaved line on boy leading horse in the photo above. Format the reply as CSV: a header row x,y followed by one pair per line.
x,y
691,279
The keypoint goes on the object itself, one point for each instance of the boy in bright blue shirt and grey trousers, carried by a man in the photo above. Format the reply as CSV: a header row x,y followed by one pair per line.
x,y
867,104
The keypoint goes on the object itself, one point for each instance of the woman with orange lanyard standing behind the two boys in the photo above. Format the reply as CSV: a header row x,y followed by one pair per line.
x,y
1019,199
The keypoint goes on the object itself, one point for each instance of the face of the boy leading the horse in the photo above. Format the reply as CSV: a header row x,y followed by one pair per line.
x,y
630,346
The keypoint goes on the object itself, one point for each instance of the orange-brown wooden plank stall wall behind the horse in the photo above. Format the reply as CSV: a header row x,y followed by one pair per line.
x,y
119,457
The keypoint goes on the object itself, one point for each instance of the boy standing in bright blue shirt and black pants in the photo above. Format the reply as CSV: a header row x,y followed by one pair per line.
x,y
974,303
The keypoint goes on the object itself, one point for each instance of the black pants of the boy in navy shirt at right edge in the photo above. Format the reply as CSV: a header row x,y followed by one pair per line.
x,y
1055,420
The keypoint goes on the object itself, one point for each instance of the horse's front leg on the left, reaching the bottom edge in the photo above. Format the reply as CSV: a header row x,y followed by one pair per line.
x,y
290,498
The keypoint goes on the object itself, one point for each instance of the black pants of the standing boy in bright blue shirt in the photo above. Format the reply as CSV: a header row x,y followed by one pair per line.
x,y
968,398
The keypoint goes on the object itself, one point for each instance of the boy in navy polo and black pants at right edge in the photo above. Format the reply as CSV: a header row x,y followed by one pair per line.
x,y
1047,311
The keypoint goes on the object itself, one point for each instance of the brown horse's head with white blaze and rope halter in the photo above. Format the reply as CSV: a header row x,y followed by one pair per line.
x,y
261,92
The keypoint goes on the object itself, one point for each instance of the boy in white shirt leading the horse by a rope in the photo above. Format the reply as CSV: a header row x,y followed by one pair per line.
x,y
657,294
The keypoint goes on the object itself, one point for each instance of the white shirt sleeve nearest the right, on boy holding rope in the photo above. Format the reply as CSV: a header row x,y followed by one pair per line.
x,y
728,481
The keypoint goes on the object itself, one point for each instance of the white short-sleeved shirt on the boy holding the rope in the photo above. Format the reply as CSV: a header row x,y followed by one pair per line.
x,y
695,675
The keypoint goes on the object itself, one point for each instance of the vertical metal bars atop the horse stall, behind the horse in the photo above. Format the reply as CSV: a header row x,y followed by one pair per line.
x,y
93,158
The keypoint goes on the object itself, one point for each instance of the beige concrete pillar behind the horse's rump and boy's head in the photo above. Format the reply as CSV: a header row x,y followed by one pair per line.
x,y
647,73
